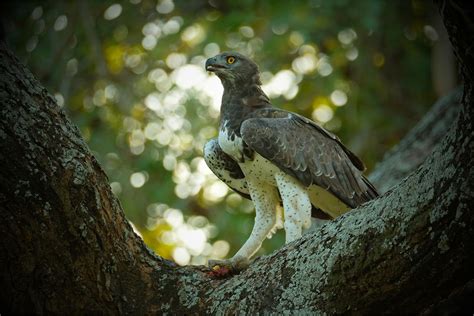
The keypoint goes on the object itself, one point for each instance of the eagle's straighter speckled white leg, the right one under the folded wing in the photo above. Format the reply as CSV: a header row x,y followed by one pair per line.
x,y
296,205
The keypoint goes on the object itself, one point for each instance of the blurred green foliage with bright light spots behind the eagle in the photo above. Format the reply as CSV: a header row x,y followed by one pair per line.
x,y
130,75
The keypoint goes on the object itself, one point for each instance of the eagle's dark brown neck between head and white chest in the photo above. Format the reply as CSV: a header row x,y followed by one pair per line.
x,y
238,104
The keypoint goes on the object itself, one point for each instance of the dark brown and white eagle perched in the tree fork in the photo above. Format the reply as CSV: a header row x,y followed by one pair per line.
x,y
277,159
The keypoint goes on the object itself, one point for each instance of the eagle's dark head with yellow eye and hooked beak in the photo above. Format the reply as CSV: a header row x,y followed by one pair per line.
x,y
234,69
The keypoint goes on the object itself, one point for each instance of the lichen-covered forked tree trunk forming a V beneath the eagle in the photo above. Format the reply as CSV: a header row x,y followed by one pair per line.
x,y
66,245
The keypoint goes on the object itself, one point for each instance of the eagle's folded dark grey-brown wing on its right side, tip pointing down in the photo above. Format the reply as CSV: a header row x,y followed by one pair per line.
x,y
308,152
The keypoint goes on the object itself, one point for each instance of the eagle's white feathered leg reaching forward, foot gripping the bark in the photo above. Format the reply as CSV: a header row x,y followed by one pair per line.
x,y
266,200
